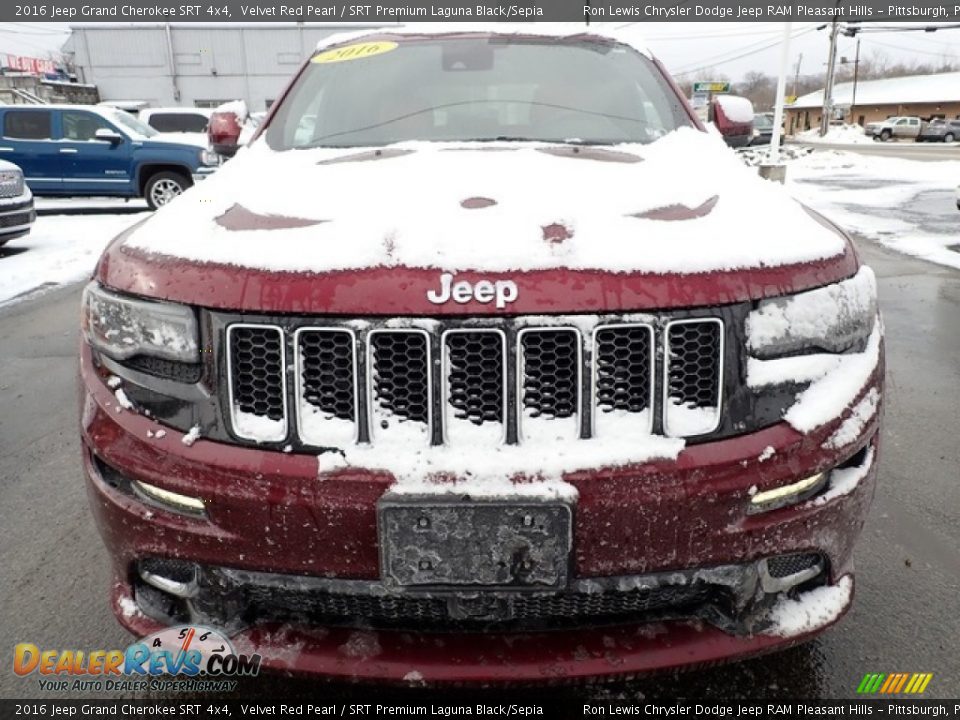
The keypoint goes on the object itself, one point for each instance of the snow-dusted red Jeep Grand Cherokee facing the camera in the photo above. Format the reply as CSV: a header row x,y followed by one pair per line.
x,y
484,362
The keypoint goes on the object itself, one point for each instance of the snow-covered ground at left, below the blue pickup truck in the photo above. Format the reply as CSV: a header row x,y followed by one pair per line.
x,y
62,248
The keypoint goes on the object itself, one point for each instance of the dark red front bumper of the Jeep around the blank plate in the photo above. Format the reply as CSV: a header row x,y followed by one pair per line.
x,y
270,515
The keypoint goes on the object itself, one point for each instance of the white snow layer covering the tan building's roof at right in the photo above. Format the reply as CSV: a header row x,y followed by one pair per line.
x,y
943,87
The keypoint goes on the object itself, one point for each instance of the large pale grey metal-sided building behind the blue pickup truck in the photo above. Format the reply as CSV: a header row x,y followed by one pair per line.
x,y
192,64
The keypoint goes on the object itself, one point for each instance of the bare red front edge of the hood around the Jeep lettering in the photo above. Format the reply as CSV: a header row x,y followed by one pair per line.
x,y
402,291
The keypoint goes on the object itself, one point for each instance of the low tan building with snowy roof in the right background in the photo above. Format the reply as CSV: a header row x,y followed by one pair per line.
x,y
926,96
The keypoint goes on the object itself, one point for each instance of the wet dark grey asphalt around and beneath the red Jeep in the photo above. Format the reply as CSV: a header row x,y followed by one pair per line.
x,y
54,570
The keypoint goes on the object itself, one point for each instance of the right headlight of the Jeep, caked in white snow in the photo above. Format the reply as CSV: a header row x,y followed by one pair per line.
x,y
836,318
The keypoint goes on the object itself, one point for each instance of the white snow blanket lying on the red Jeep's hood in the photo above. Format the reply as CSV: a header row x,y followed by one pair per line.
x,y
405,209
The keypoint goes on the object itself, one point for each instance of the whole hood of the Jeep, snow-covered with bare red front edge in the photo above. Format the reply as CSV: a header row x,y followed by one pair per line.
x,y
681,221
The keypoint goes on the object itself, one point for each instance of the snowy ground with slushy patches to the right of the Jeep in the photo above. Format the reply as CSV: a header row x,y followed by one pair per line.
x,y
906,205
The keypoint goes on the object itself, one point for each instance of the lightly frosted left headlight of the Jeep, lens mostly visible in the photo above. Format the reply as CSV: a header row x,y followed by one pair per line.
x,y
121,327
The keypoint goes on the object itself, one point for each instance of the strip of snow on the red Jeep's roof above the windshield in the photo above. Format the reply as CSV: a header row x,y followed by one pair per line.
x,y
614,31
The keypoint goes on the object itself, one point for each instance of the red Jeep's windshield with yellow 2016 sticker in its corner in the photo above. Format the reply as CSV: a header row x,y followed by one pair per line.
x,y
477,88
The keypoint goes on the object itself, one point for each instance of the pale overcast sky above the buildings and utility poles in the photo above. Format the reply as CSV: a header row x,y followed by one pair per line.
x,y
733,48
